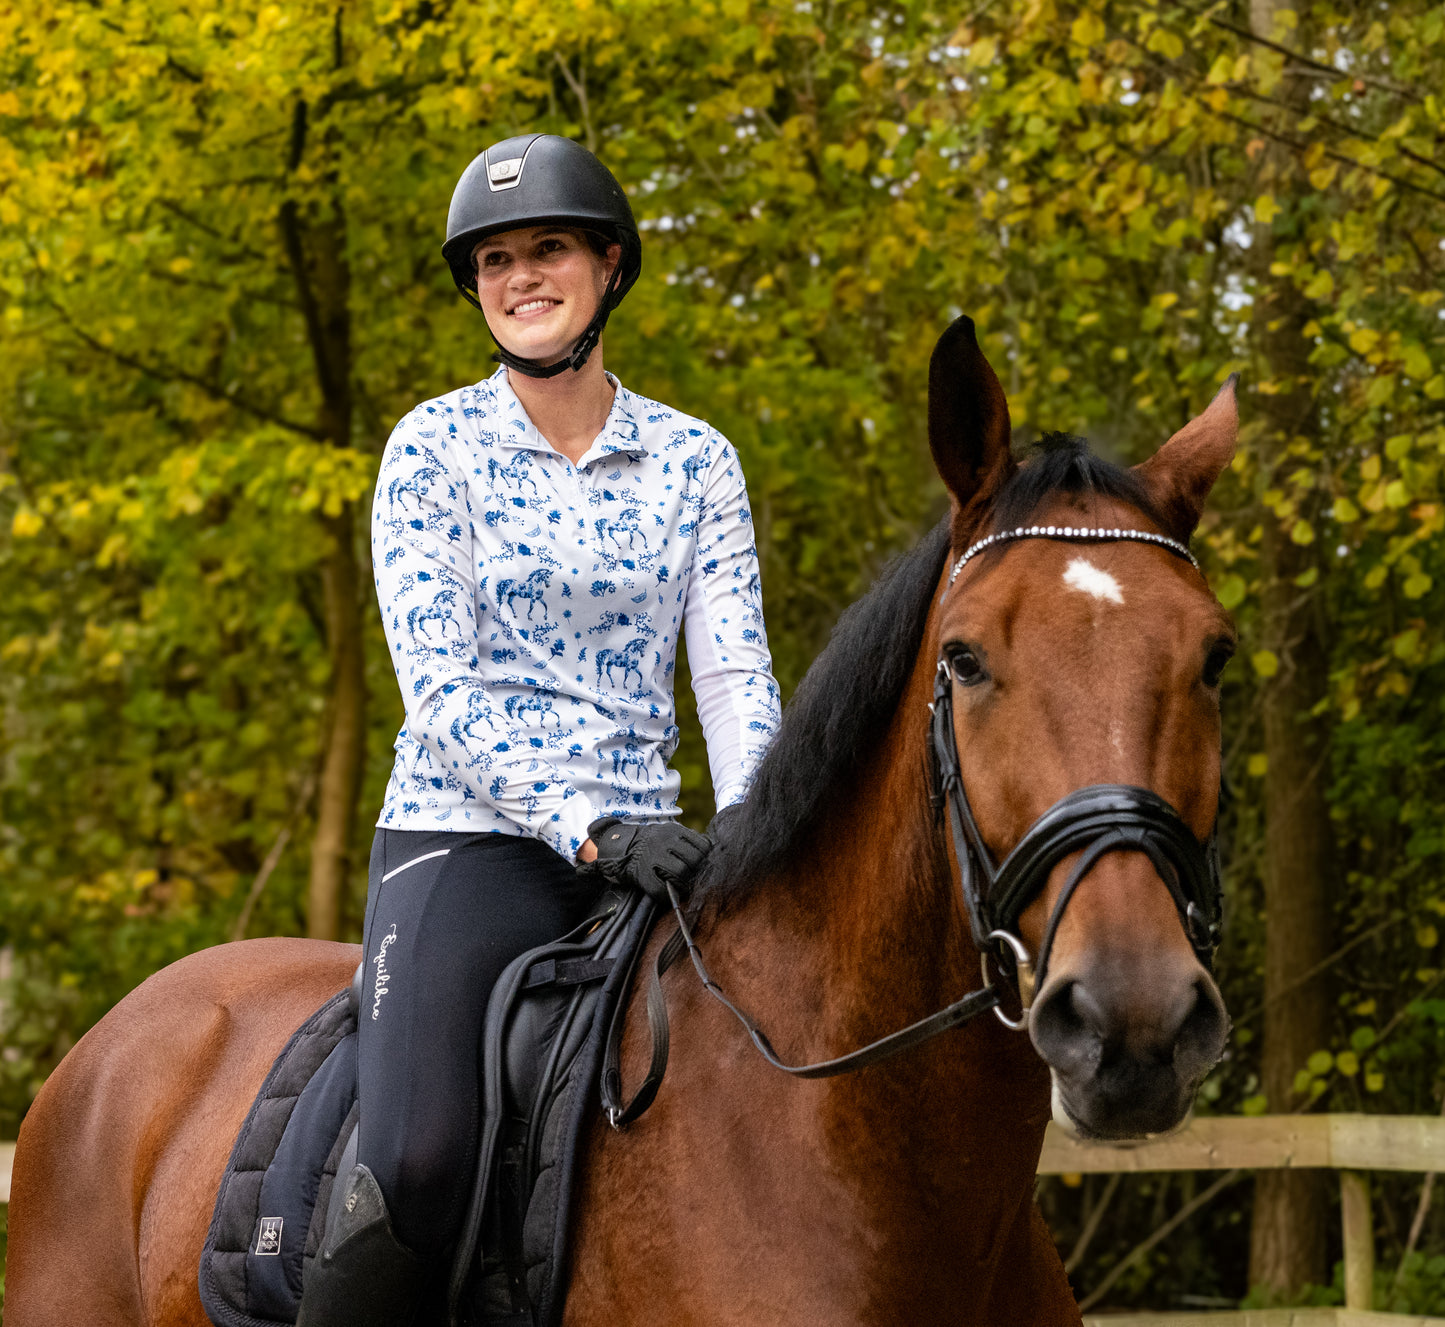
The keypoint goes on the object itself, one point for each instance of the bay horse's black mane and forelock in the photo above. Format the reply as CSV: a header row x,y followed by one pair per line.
x,y
846,700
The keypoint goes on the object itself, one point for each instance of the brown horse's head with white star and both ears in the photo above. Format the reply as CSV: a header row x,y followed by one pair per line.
x,y
1076,663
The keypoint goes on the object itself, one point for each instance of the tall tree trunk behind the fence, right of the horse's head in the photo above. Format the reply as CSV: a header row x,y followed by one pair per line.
x,y
1293,1209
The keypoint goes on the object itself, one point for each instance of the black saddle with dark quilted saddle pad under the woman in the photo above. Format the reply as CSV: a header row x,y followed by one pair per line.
x,y
541,1056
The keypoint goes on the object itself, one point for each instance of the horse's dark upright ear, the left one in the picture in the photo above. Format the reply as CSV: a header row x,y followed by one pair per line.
x,y
967,423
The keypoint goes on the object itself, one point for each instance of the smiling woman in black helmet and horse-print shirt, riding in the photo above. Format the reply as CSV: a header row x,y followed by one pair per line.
x,y
541,540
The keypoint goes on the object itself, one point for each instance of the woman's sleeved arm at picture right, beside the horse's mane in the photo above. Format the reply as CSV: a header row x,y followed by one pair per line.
x,y
728,645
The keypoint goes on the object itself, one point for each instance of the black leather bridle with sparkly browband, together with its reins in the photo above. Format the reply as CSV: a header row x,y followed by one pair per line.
x,y
1097,820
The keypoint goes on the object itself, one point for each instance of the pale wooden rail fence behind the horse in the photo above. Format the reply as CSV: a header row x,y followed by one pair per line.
x,y
1350,1144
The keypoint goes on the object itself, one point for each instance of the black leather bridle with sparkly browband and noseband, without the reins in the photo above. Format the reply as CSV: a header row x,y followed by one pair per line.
x,y
1099,820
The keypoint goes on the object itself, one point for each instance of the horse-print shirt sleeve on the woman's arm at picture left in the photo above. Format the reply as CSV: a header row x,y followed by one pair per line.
x,y
427,586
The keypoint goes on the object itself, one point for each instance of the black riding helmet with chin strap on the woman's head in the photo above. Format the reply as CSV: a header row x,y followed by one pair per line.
x,y
540,180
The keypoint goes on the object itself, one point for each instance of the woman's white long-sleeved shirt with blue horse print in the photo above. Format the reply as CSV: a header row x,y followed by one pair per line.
x,y
534,611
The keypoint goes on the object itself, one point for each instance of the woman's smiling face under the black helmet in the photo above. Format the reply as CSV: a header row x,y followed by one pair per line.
x,y
540,288
